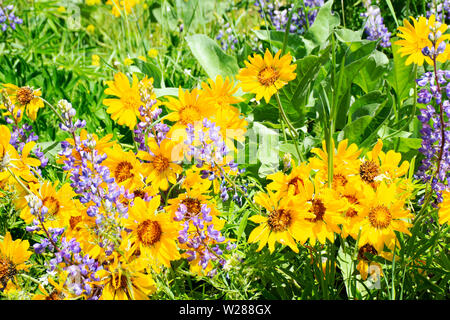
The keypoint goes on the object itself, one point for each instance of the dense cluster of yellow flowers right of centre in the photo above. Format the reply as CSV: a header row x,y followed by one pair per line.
x,y
367,201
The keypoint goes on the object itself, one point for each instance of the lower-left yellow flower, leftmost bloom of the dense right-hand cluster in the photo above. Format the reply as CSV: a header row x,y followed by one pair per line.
x,y
284,222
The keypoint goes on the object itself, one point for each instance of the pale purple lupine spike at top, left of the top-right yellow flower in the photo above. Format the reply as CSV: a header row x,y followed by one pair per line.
x,y
374,27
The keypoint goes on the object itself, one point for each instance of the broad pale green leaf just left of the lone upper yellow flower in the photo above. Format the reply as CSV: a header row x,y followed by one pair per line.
x,y
211,57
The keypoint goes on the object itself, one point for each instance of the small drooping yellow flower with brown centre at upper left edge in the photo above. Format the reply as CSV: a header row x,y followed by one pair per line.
x,y
25,98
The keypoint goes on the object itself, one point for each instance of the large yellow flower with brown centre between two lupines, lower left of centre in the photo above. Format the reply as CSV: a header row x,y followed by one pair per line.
x,y
152,233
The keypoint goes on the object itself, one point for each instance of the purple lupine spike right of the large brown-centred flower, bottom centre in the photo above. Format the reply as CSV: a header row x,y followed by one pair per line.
x,y
204,242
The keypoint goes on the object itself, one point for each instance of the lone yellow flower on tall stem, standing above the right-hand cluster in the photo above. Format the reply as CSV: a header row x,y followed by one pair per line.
x,y
264,76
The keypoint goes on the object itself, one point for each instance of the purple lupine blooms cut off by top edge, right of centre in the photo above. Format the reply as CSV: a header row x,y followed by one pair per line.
x,y
279,14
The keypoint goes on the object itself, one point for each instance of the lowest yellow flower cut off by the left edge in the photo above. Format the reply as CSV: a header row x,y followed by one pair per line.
x,y
14,256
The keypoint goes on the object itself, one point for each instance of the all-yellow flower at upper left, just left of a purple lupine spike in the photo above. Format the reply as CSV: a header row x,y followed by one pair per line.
x,y
125,108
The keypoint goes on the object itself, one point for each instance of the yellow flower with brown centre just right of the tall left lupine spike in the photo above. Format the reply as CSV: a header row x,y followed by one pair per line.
x,y
125,168
